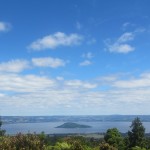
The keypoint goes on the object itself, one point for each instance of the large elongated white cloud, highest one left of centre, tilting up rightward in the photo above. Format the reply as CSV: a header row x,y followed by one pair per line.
x,y
56,40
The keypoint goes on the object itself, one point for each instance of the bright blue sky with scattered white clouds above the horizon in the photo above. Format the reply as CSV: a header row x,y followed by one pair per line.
x,y
74,57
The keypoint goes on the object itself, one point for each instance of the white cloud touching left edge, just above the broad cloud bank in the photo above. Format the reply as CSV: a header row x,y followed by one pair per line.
x,y
14,66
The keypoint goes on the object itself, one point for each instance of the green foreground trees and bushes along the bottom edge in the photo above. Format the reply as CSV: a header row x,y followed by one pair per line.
x,y
135,139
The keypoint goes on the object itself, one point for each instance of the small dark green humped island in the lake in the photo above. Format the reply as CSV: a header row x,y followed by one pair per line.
x,y
73,125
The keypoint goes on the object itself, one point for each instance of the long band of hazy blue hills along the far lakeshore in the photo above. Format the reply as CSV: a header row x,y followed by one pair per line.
x,y
97,118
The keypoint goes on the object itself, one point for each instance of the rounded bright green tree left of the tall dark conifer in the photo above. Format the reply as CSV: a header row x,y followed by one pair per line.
x,y
114,138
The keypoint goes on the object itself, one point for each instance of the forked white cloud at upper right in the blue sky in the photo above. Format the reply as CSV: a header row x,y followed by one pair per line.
x,y
121,45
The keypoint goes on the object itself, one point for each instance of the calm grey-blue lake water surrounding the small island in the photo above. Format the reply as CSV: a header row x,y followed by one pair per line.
x,y
49,127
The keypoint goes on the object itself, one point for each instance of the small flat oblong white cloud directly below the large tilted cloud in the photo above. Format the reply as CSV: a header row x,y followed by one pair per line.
x,y
48,62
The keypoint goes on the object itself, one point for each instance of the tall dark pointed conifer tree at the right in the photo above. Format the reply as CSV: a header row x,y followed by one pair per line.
x,y
137,134
